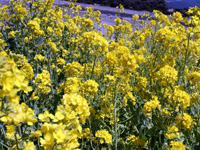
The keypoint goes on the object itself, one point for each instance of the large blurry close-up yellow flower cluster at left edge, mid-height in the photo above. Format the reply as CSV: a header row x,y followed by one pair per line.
x,y
12,80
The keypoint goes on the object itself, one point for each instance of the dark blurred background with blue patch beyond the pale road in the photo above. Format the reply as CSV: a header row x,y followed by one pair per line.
x,y
165,6
